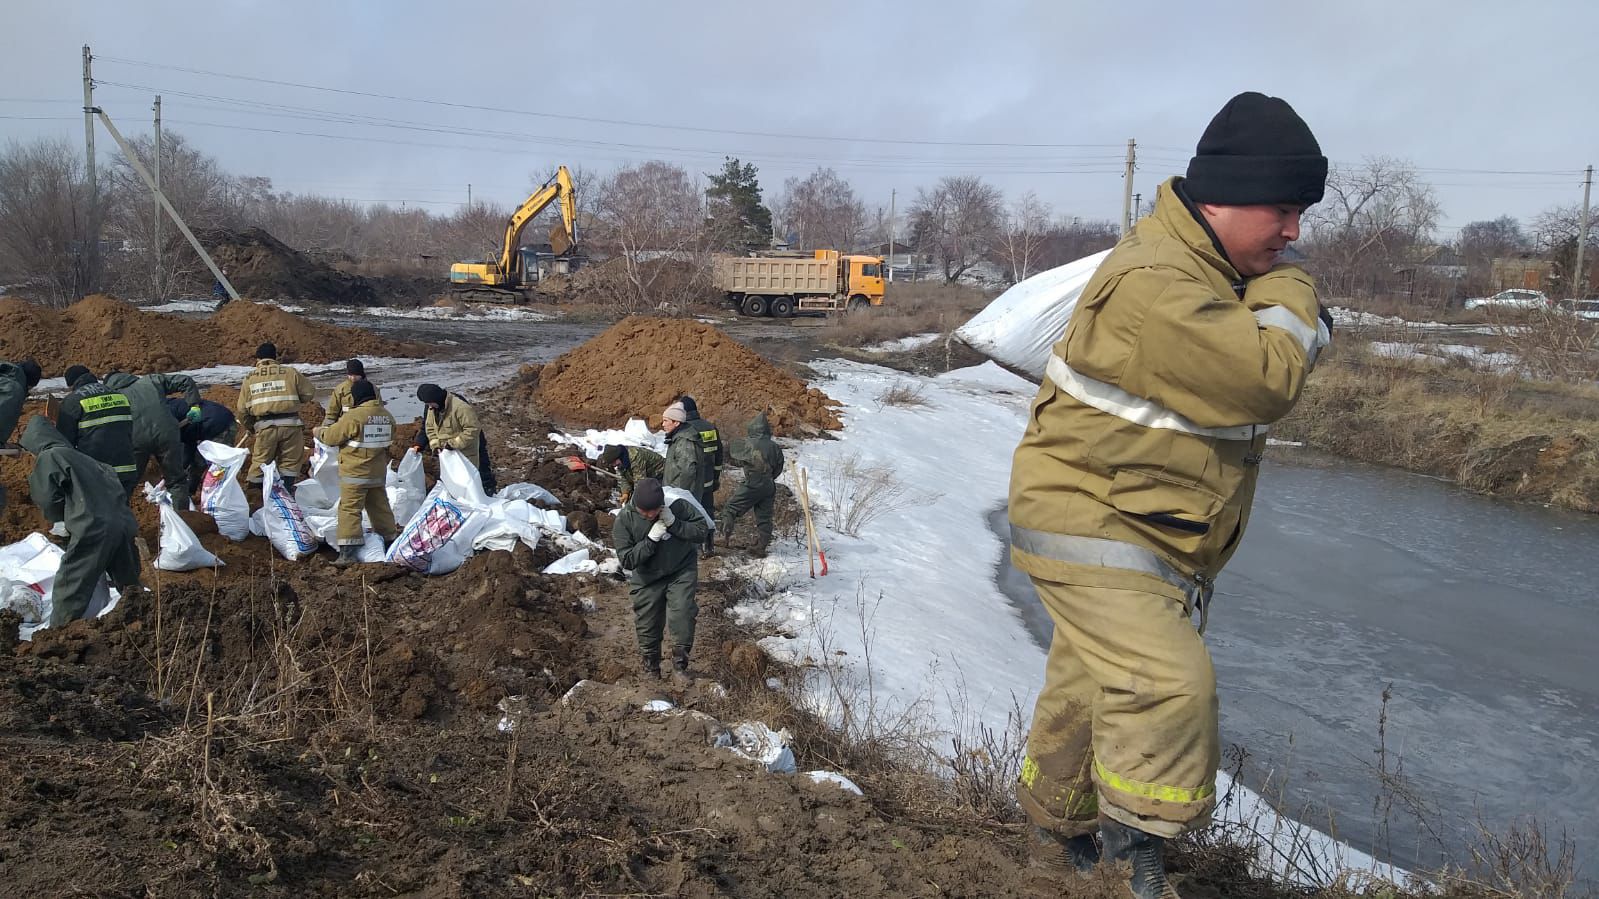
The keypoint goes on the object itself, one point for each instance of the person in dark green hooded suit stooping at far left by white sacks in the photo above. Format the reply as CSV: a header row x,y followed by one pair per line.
x,y
84,495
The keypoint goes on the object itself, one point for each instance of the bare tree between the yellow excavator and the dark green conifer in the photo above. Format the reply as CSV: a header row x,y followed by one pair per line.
x,y
650,217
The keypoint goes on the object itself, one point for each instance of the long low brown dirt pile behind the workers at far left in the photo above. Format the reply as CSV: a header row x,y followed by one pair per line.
x,y
110,335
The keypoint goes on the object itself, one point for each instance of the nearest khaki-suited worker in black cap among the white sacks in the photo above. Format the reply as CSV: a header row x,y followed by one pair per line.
x,y
362,436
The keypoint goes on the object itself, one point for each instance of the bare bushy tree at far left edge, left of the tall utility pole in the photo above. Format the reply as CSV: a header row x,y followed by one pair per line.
x,y
44,220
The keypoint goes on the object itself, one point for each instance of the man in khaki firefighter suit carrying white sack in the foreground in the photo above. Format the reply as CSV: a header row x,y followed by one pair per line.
x,y
1134,479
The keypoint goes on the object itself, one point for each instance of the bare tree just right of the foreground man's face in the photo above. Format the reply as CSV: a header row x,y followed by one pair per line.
x,y
1373,218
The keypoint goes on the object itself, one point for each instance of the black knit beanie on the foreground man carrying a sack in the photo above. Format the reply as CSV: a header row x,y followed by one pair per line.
x,y
1258,151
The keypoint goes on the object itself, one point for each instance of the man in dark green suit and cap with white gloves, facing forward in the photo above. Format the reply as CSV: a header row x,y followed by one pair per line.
x,y
660,545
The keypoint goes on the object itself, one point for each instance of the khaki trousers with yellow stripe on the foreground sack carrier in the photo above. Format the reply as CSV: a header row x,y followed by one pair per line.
x,y
1126,724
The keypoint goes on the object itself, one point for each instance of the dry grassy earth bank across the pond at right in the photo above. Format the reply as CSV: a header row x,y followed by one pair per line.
x,y
1488,433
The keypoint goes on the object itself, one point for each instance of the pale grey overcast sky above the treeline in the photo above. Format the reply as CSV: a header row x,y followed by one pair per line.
x,y
1488,102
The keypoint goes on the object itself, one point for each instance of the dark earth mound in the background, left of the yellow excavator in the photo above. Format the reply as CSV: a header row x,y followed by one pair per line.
x,y
265,268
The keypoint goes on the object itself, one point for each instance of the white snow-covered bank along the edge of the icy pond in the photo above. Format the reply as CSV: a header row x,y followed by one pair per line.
x,y
911,615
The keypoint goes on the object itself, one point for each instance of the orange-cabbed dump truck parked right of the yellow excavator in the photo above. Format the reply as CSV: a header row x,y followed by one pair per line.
x,y
781,286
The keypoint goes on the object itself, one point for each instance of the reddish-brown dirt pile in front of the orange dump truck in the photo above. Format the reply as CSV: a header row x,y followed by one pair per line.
x,y
640,366
